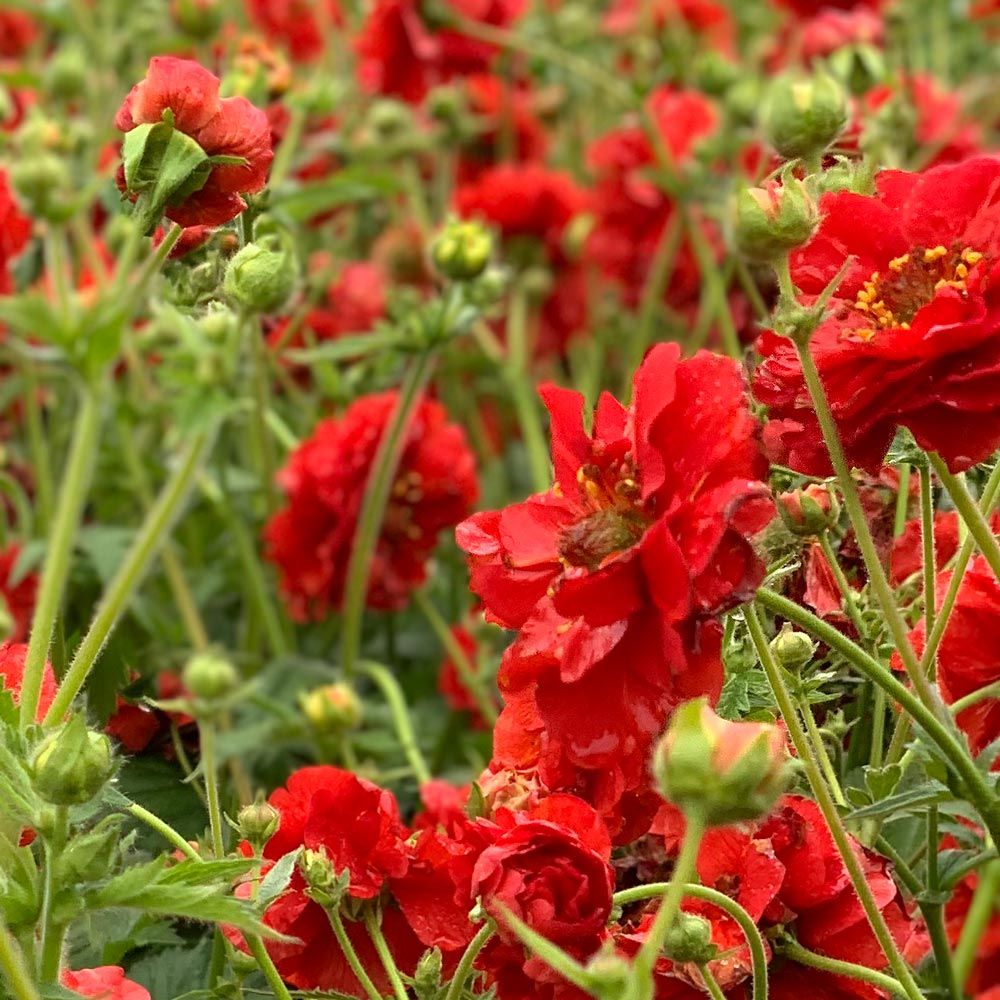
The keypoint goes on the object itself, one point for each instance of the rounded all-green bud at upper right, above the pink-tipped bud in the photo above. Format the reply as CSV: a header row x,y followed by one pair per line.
x,y
802,117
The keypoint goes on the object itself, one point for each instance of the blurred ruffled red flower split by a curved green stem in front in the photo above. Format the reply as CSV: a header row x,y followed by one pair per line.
x,y
310,540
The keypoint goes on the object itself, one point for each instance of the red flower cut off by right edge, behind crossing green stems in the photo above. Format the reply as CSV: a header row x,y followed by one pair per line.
x,y
965,661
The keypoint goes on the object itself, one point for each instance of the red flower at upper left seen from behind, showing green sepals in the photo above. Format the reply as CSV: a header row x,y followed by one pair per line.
x,y
195,154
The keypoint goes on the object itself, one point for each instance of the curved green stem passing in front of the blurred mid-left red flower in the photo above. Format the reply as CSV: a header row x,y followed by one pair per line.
x,y
376,498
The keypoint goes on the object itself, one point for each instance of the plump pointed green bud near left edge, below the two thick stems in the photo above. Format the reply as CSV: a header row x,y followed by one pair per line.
x,y
72,765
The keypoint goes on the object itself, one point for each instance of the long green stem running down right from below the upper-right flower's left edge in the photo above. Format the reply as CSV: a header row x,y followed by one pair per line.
x,y
852,501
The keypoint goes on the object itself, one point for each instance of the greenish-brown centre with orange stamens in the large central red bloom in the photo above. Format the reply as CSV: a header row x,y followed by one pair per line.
x,y
616,522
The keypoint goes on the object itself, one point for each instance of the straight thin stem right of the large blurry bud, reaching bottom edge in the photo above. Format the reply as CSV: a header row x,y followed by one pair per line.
x,y
828,807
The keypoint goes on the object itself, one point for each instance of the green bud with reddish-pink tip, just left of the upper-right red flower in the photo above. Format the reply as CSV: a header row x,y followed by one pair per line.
x,y
772,220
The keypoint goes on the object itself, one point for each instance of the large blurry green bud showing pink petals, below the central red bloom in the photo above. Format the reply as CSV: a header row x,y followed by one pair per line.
x,y
725,772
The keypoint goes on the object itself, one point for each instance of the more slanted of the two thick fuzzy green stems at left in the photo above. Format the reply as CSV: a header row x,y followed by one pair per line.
x,y
122,588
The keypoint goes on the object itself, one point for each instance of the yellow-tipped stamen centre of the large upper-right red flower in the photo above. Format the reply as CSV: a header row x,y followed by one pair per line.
x,y
894,298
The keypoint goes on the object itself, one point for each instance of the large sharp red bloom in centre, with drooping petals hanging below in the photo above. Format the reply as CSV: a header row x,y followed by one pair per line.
x,y
614,576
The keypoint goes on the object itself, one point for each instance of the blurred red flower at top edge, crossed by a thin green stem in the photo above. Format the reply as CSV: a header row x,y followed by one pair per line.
x,y
401,54
